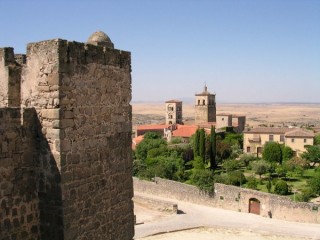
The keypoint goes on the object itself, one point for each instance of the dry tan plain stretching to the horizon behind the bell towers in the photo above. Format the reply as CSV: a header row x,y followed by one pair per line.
x,y
257,114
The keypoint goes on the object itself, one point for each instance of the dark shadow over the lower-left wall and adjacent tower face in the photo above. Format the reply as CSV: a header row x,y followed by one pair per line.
x,y
31,204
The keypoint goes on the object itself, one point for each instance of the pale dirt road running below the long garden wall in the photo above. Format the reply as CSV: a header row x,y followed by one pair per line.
x,y
211,220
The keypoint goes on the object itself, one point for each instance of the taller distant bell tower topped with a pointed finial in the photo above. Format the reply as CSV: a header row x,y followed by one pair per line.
x,y
205,107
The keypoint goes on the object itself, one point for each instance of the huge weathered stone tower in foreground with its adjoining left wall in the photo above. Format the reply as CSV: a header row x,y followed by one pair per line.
x,y
65,141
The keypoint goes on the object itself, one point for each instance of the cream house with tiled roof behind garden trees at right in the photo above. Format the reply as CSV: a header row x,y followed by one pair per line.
x,y
295,138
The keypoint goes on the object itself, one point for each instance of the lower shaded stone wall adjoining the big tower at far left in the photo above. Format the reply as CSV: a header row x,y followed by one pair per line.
x,y
19,204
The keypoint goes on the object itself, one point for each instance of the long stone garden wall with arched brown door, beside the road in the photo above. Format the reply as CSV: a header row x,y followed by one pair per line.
x,y
233,198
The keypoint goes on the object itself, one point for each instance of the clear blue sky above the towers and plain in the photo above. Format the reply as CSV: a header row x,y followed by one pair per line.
x,y
245,50
